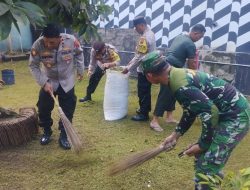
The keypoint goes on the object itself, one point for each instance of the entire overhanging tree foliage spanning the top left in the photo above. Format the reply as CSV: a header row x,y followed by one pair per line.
x,y
75,14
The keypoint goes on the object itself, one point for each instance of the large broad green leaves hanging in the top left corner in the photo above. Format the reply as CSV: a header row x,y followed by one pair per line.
x,y
14,12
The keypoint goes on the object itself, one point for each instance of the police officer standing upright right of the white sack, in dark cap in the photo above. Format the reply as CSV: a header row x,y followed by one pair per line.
x,y
145,45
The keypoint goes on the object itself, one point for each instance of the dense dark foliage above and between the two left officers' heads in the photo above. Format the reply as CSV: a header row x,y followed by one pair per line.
x,y
76,14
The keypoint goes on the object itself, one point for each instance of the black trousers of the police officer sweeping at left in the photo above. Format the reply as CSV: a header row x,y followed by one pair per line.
x,y
45,104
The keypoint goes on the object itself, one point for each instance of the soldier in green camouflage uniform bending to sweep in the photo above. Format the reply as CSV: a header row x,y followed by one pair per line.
x,y
224,112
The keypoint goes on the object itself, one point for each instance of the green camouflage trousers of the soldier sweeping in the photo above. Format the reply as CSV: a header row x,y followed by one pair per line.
x,y
227,135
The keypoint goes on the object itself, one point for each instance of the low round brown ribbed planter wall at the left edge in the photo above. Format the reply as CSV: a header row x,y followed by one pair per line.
x,y
18,130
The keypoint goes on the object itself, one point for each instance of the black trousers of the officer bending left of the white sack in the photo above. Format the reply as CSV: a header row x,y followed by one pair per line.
x,y
94,80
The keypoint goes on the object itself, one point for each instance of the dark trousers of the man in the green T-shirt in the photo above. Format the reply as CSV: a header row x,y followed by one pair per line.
x,y
165,101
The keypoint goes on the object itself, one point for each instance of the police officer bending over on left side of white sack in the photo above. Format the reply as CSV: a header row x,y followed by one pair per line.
x,y
102,56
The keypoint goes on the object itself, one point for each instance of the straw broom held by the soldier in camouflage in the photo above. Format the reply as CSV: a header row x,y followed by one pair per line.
x,y
138,159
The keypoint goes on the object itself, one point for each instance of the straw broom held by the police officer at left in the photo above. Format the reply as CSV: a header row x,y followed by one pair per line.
x,y
73,137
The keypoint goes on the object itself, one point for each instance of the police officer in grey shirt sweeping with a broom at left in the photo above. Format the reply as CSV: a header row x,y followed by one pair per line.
x,y
60,55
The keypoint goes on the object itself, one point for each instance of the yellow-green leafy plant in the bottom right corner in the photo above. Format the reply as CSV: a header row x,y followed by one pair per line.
x,y
232,181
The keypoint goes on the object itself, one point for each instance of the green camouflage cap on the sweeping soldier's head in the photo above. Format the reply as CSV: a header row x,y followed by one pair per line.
x,y
153,62
